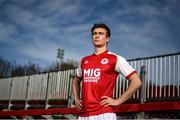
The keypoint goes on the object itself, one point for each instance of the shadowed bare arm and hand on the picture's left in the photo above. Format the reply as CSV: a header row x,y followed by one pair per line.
x,y
76,92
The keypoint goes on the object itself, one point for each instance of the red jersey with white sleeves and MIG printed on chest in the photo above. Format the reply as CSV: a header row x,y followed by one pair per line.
x,y
99,74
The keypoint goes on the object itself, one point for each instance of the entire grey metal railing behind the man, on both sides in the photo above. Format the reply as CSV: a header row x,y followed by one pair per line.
x,y
160,75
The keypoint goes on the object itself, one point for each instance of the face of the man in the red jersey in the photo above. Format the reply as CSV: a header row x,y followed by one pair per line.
x,y
99,37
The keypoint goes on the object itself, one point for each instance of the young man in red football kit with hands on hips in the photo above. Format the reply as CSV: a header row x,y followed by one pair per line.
x,y
98,73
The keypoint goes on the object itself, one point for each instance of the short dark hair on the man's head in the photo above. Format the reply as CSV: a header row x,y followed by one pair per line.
x,y
101,25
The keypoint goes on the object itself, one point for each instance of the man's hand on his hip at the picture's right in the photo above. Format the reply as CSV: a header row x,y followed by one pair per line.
x,y
108,101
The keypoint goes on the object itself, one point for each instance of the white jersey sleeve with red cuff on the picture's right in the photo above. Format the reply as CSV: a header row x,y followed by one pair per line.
x,y
123,67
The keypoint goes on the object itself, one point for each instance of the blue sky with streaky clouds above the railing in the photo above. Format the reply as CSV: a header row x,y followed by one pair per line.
x,y
33,30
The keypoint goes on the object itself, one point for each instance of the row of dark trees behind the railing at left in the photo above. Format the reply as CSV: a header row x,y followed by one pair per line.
x,y
8,69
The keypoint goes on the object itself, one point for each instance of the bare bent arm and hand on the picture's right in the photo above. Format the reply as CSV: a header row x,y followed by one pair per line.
x,y
135,84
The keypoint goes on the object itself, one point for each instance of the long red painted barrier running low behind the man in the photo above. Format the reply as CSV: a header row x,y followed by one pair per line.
x,y
151,106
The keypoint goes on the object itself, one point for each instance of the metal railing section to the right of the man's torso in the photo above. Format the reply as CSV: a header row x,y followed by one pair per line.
x,y
161,80
